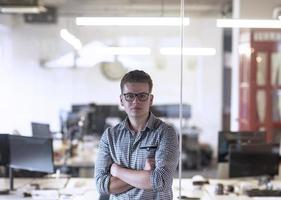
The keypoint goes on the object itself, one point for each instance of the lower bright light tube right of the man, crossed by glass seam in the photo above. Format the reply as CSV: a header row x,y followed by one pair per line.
x,y
189,51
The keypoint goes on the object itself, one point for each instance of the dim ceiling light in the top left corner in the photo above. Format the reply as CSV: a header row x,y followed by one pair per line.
x,y
23,9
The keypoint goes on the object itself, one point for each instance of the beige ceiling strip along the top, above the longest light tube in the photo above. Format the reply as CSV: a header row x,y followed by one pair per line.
x,y
197,8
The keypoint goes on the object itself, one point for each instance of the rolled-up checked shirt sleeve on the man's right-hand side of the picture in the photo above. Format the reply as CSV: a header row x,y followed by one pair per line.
x,y
166,160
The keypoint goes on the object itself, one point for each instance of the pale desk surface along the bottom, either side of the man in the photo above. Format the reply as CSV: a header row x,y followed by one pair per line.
x,y
84,189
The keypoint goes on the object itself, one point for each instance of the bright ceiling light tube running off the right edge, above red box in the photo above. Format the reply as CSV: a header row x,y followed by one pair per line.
x,y
248,23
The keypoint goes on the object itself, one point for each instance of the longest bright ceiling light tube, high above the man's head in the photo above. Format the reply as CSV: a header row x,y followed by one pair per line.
x,y
131,21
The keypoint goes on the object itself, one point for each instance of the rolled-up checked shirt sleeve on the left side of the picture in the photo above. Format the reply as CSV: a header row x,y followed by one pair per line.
x,y
102,165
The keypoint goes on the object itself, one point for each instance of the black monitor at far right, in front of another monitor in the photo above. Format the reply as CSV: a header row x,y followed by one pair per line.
x,y
253,160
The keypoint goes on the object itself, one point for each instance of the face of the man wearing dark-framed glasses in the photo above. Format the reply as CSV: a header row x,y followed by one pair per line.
x,y
136,99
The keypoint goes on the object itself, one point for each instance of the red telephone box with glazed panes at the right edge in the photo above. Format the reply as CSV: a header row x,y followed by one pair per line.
x,y
260,82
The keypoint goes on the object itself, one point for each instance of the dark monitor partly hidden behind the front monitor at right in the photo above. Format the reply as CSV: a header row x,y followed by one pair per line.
x,y
226,138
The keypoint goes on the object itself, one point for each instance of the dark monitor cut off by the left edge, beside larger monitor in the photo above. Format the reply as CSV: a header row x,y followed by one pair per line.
x,y
4,149
